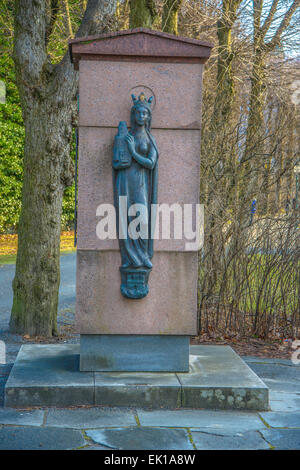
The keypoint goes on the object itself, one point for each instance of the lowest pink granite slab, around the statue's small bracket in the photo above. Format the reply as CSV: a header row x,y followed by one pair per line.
x,y
170,308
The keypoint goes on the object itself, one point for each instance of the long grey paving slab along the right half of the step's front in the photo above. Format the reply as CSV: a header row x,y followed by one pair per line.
x,y
233,421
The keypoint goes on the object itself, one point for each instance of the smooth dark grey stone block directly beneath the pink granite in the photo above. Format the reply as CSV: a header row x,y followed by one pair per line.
x,y
134,353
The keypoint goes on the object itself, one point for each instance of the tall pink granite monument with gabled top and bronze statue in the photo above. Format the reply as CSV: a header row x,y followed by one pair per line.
x,y
131,329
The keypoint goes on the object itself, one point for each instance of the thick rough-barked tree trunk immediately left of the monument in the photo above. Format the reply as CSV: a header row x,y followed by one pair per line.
x,y
48,98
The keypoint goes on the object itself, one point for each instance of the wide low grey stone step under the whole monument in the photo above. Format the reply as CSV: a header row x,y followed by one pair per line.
x,y
48,375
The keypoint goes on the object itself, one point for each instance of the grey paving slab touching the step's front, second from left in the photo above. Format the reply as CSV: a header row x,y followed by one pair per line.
x,y
84,418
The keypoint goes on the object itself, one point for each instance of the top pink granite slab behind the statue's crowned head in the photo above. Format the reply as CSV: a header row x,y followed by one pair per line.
x,y
105,90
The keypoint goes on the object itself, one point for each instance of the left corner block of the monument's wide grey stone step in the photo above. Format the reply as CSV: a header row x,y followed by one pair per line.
x,y
48,375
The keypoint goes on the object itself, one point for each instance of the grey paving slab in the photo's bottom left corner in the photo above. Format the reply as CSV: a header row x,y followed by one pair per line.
x,y
37,438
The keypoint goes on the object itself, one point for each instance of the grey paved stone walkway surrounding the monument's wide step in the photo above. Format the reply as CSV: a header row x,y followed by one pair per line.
x,y
128,429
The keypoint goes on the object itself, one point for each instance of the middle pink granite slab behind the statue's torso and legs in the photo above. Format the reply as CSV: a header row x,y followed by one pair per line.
x,y
179,163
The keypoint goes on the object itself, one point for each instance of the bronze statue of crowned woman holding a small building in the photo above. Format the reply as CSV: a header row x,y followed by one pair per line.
x,y
135,178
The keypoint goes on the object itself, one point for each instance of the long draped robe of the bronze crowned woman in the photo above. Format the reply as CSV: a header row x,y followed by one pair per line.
x,y
139,185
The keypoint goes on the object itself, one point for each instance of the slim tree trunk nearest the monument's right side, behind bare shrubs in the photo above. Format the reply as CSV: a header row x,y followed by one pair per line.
x,y
216,144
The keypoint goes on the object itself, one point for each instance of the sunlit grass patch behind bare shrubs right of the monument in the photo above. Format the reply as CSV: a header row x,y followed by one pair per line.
x,y
259,283
